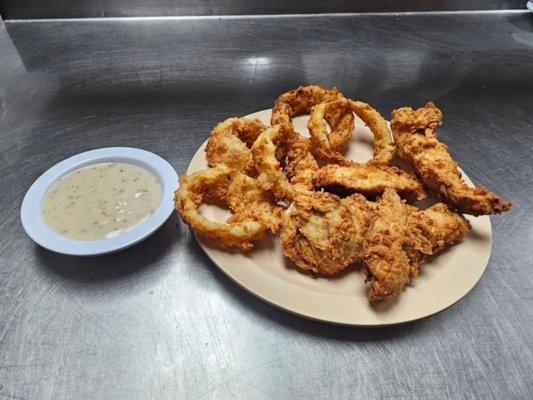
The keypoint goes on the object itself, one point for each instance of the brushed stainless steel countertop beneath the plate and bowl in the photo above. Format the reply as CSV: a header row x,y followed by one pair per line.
x,y
159,321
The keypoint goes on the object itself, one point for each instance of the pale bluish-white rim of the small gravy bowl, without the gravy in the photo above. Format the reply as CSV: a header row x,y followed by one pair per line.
x,y
36,227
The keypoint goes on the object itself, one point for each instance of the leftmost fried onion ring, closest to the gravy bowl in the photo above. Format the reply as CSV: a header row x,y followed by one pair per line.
x,y
254,211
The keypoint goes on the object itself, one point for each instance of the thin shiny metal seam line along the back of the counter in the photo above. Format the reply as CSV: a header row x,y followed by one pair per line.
x,y
270,16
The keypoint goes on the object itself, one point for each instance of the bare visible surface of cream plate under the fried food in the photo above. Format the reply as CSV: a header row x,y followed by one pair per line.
x,y
266,273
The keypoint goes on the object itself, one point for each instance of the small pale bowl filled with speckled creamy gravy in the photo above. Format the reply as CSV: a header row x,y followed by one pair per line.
x,y
99,201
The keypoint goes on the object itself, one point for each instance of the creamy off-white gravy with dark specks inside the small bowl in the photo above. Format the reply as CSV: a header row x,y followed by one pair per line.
x,y
101,201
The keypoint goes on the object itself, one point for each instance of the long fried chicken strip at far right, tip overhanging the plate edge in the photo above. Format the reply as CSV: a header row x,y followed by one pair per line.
x,y
415,134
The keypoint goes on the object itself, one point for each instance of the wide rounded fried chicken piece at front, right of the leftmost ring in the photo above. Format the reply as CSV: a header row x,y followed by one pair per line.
x,y
323,233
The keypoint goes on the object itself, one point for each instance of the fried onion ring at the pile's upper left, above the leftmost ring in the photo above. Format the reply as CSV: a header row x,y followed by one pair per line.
x,y
230,144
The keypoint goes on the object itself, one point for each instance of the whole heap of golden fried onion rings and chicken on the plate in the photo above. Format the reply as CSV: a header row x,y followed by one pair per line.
x,y
255,167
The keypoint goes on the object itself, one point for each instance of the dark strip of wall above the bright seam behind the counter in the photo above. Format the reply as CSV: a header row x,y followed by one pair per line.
x,y
24,9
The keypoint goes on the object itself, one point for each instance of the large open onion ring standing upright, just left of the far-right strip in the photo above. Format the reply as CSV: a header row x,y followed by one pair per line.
x,y
384,149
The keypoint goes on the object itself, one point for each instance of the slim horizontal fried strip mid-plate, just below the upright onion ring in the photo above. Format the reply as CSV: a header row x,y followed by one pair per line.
x,y
370,180
